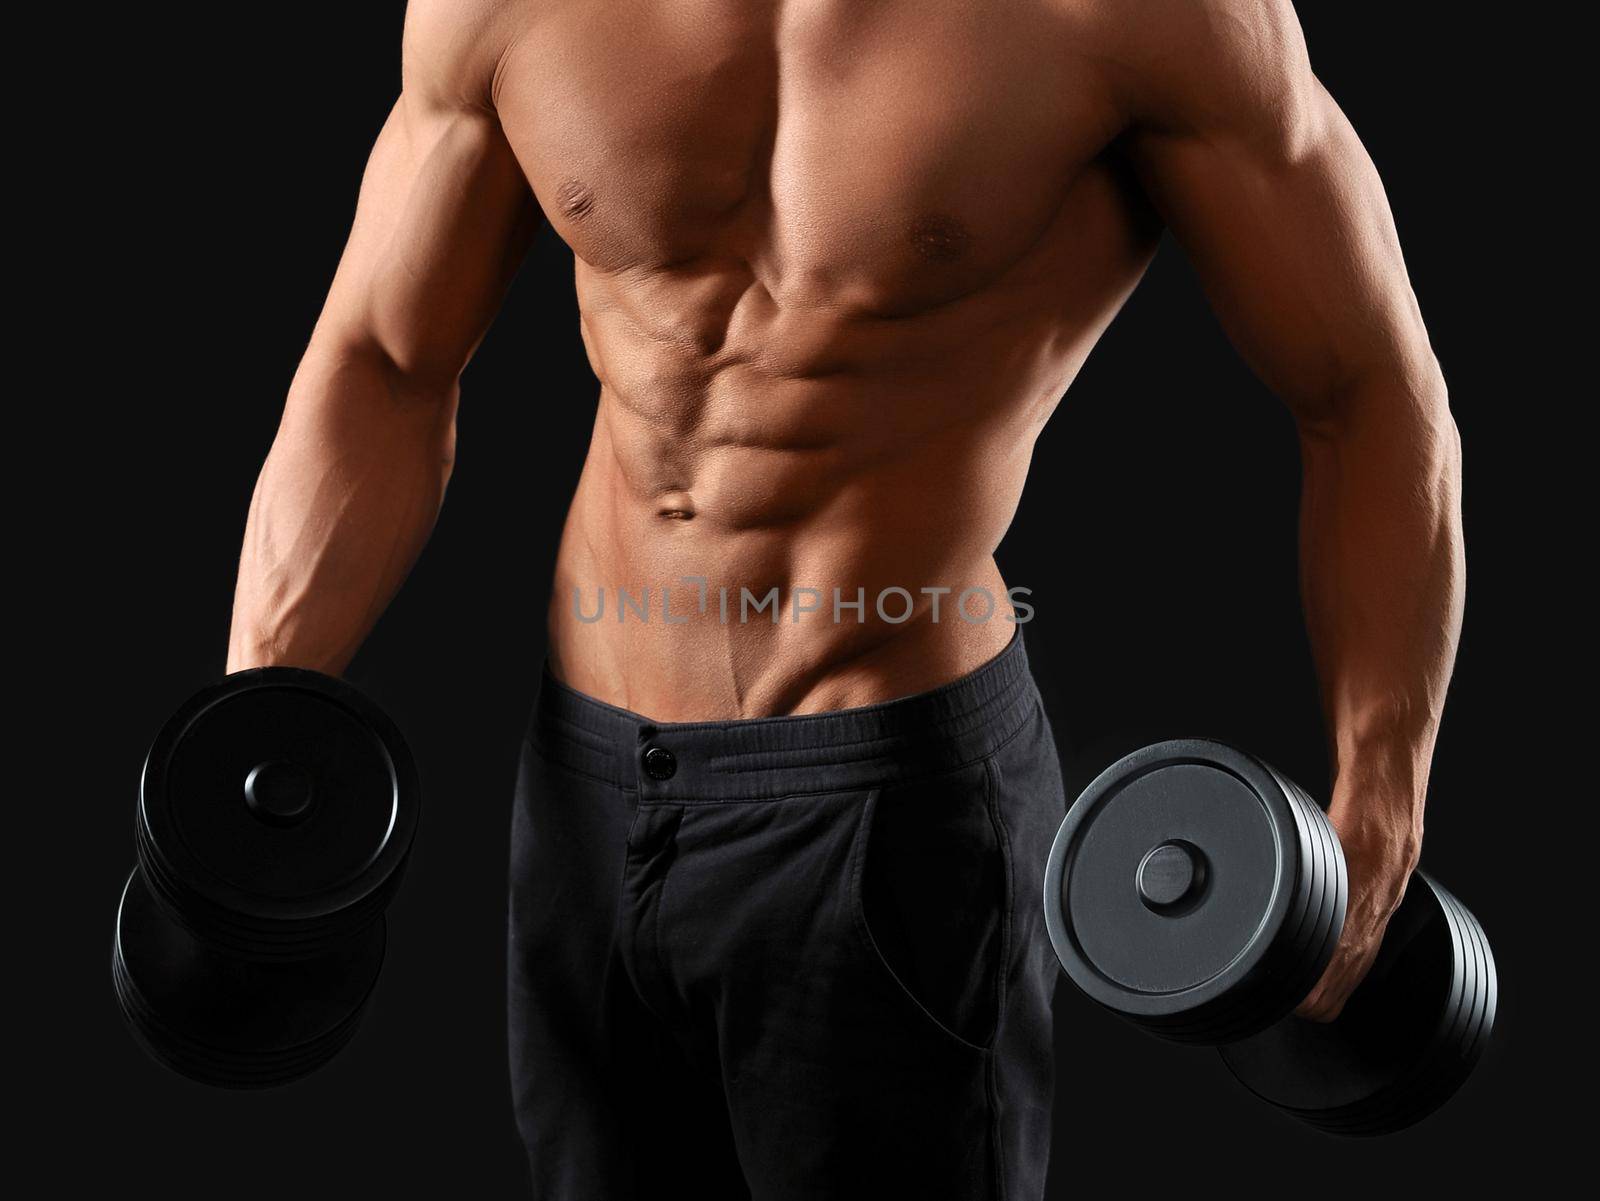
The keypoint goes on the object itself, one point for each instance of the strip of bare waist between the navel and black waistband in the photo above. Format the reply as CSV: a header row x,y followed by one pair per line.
x,y
692,644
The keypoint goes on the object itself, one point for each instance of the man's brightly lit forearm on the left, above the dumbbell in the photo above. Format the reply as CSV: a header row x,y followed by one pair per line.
x,y
345,505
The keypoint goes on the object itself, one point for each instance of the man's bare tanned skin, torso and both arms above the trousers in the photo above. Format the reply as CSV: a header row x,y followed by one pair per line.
x,y
836,265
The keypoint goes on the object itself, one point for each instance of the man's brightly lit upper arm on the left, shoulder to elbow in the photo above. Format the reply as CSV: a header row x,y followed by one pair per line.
x,y
444,215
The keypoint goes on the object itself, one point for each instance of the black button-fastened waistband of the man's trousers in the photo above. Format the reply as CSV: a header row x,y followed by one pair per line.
x,y
762,759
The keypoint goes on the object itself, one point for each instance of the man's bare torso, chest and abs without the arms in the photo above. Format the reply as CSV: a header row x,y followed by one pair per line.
x,y
836,266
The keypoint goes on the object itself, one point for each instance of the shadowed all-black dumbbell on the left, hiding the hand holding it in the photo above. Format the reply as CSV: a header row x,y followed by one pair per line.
x,y
274,823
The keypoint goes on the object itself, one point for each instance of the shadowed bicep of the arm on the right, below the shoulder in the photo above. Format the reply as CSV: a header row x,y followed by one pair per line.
x,y
1292,236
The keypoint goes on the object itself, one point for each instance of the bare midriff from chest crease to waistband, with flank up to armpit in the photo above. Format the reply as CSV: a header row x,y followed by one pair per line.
x,y
812,433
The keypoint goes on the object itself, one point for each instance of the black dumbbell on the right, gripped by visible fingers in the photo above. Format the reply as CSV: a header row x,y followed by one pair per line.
x,y
1198,893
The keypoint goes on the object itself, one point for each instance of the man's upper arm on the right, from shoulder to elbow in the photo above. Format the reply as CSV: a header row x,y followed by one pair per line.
x,y
1265,183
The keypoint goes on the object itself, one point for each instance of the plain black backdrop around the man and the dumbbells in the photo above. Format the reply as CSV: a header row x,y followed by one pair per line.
x,y
1158,535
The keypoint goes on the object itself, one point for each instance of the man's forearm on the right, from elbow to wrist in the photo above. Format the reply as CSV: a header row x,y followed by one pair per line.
x,y
1383,585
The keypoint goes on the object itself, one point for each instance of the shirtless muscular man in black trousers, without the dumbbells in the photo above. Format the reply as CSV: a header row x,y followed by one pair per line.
x,y
775,887
